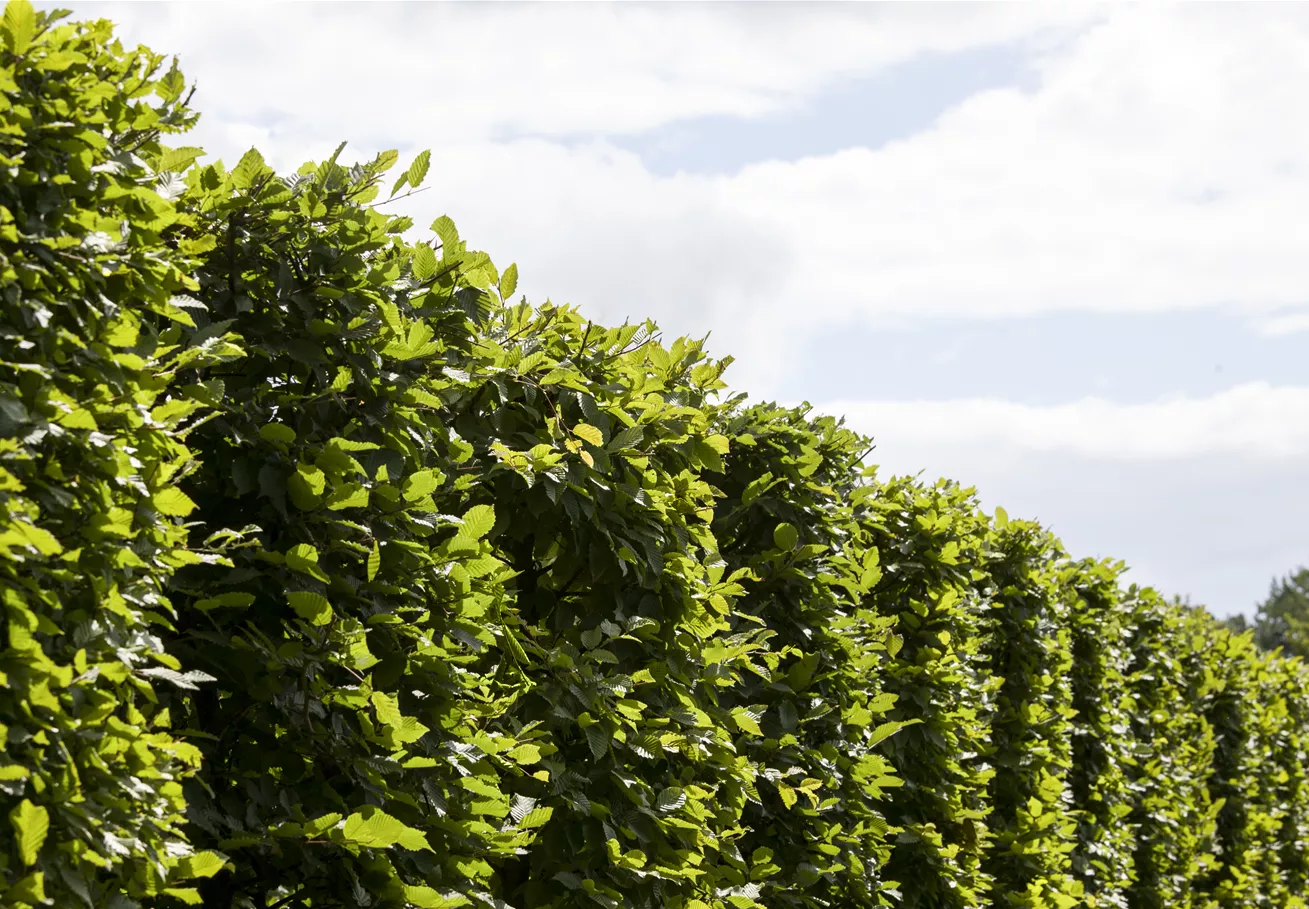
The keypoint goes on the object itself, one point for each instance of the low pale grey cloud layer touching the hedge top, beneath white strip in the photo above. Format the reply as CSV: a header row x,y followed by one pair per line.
x,y
1217,527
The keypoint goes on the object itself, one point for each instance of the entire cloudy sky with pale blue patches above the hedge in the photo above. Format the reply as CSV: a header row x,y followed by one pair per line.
x,y
1054,252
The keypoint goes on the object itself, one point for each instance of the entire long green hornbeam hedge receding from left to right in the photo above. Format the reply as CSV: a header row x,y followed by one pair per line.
x,y
336,576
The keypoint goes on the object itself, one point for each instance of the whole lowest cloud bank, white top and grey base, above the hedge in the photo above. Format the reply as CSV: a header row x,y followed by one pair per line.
x,y
1198,497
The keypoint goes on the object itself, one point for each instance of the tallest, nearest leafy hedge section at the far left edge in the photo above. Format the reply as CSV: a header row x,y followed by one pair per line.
x,y
96,345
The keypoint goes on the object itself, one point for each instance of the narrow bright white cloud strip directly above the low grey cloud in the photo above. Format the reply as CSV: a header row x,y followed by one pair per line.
x,y
1255,421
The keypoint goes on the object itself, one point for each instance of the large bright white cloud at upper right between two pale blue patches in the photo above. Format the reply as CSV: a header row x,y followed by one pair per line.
x,y
1155,168
